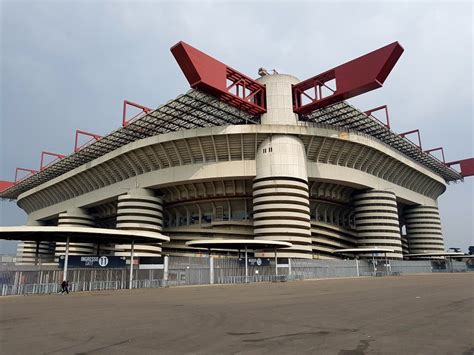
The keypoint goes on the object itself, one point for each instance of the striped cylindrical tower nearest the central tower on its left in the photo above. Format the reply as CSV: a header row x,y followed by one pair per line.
x,y
139,210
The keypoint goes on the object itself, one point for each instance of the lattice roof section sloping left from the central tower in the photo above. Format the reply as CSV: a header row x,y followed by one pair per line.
x,y
194,109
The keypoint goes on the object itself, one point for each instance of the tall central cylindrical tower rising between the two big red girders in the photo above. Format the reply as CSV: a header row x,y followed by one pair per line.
x,y
280,189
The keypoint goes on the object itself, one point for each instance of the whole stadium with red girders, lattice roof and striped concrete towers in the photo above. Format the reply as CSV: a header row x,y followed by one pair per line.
x,y
272,159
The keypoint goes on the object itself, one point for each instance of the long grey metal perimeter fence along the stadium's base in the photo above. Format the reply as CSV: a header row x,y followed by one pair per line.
x,y
46,279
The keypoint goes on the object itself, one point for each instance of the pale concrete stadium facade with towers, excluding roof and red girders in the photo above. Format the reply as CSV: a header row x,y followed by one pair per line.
x,y
319,186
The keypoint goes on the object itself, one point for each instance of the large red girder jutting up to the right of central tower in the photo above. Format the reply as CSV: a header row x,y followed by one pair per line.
x,y
353,78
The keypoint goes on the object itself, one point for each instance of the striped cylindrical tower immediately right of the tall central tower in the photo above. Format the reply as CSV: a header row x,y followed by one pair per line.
x,y
377,223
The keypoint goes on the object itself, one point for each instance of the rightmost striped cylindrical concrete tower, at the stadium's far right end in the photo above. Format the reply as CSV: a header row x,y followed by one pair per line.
x,y
424,232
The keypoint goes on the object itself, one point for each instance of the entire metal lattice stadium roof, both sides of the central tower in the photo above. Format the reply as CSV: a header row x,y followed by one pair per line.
x,y
196,109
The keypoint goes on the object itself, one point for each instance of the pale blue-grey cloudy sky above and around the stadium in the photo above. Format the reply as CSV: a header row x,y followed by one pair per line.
x,y
68,65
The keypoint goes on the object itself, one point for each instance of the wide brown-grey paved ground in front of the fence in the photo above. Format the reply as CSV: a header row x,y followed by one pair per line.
x,y
425,314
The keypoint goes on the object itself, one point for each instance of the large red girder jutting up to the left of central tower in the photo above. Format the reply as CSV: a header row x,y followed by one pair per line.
x,y
216,78
